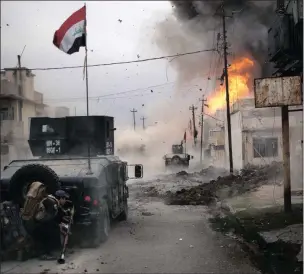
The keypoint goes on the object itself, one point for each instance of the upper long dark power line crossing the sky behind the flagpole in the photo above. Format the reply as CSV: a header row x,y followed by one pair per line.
x,y
124,62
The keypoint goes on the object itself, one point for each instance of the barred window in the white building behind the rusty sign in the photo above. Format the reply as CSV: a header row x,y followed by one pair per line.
x,y
265,147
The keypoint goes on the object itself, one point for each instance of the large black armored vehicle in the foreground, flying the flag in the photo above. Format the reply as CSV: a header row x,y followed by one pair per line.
x,y
75,154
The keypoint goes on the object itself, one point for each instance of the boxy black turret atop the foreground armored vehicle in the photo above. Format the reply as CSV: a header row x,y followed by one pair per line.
x,y
71,136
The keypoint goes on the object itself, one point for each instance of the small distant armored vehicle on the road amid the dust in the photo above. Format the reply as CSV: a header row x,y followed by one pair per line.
x,y
178,157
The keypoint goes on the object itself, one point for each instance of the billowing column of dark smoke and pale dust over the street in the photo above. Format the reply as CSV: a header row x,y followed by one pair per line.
x,y
192,26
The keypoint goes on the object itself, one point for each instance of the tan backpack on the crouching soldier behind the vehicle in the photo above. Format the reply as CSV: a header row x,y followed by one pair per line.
x,y
35,195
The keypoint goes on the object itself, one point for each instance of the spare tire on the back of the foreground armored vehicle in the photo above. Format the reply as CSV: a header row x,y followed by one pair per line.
x,y
26,175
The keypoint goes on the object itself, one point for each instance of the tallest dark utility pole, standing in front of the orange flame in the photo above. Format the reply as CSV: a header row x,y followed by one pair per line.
x,y
225,75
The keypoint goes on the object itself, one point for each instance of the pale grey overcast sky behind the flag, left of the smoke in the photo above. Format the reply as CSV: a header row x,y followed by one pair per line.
x,y
33,24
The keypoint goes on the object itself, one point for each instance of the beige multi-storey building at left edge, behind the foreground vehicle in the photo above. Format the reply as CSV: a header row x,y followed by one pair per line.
x,y
18,102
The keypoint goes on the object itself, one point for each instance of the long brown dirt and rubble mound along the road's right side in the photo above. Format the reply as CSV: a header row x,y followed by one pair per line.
x,y
223,187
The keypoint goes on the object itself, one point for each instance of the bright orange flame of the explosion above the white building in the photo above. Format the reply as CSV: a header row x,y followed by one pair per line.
x,y
238,85
